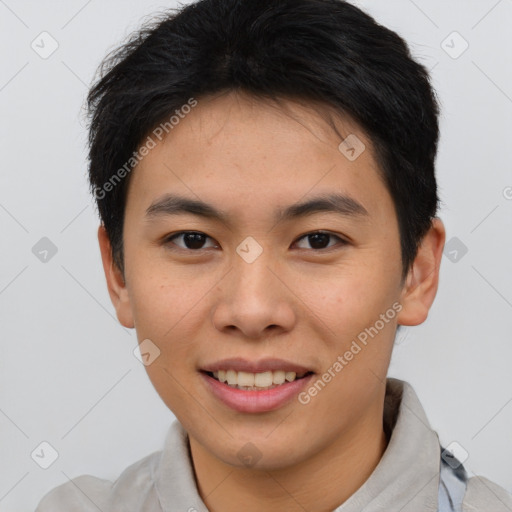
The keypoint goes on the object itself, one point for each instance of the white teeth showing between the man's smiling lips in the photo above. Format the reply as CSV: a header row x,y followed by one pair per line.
x,y
256,381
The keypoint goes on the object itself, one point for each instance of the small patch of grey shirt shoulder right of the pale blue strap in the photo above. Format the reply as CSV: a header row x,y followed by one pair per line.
x,y
482,495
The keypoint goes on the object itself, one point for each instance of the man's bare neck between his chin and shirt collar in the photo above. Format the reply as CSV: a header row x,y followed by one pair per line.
x,y
321,483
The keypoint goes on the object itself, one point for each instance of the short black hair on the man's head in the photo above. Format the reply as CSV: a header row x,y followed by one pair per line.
x,y
326,51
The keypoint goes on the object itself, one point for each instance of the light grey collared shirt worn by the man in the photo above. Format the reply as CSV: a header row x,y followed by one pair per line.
x,y
408,478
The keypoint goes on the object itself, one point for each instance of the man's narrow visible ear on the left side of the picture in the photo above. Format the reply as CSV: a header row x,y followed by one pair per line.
x,y
115,281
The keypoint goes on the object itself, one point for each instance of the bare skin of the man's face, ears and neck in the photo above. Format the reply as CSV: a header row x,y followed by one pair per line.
x,y
296,302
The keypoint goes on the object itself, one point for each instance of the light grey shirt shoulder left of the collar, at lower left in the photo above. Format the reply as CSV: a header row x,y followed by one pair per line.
x,y
133,491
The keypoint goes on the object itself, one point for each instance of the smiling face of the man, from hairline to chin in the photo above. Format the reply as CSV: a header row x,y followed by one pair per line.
x,y
251,283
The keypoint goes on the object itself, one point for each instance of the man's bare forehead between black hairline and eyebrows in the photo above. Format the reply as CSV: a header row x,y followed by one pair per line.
x,y
236,148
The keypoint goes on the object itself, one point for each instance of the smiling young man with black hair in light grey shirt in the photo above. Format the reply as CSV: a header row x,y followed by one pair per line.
x,y
264,173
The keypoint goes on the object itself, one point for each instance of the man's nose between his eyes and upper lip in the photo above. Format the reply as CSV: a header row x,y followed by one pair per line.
x,y
255,300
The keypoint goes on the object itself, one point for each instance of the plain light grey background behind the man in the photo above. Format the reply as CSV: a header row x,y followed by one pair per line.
x,y
67,372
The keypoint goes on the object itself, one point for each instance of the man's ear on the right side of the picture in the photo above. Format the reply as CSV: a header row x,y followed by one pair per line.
x,y
422,279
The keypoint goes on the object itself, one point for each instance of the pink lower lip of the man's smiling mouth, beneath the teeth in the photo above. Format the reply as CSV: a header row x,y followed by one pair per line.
x,y
255,401
